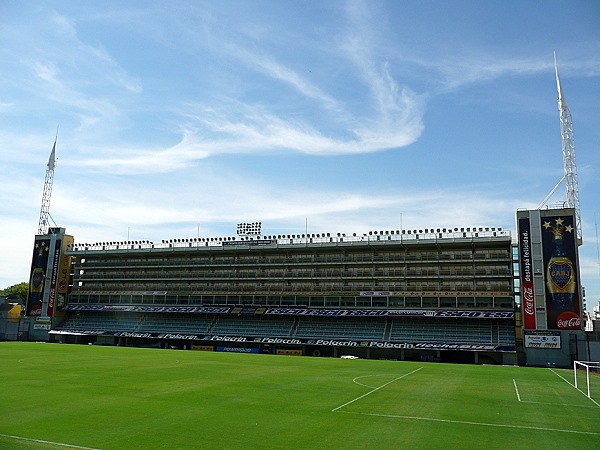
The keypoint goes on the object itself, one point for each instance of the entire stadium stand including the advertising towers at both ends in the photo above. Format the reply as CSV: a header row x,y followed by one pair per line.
x,y
471,295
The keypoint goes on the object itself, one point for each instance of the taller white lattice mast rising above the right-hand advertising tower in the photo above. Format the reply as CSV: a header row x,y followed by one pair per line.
x,y
569,162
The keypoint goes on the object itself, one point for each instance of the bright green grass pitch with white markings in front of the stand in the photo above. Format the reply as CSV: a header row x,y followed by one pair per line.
x,y
57,396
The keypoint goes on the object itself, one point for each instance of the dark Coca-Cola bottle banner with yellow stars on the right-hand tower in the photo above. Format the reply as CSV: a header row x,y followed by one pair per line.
x,y
560,261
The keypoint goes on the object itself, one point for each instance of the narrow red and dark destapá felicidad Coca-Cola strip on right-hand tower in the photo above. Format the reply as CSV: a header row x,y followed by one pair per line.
x,y
527,291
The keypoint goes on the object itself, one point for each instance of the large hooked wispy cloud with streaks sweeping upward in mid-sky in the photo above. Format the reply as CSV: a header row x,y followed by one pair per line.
x,y
391,117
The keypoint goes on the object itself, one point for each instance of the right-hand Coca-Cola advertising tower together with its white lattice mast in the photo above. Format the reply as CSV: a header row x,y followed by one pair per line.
x,y
548,247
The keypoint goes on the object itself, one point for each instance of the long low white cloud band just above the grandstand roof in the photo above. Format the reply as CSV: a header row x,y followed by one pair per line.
x,y
211,198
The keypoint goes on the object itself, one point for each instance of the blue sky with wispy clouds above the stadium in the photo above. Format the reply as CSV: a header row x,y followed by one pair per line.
x,y
178,116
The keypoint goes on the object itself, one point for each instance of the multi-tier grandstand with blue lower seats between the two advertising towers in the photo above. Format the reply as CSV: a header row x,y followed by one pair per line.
x,y
429,294
